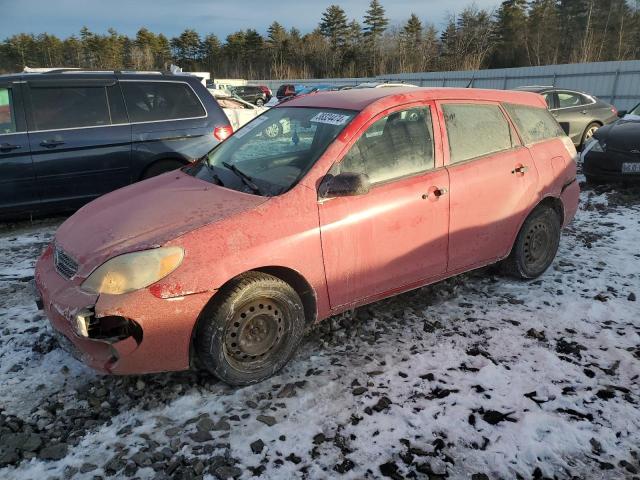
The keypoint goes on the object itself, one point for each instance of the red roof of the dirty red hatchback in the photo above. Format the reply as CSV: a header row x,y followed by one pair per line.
x,y
359,99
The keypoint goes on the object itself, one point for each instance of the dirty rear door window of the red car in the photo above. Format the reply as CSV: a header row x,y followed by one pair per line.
x,y
476,130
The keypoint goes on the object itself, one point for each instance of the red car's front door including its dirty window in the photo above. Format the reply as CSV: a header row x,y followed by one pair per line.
x,y
395,235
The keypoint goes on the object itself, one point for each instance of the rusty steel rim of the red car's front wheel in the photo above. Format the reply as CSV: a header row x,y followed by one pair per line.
x,y
255,334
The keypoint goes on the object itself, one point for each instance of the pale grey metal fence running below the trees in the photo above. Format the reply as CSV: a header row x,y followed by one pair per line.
x,y
615,82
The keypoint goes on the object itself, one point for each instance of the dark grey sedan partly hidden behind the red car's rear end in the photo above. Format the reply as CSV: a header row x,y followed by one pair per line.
x,y
579,114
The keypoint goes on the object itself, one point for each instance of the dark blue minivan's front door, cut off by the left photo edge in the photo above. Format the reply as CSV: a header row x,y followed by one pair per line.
x,y
18,189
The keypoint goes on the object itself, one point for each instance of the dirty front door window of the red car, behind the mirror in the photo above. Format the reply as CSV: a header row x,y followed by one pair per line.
x,y
395,146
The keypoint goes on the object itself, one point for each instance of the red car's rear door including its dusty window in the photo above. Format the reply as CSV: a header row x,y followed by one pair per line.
x,y
493,182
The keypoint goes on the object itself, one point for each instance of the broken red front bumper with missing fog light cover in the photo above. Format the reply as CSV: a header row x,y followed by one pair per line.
x,y
133,333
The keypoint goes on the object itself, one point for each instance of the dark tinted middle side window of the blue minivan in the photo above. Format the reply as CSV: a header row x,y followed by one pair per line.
x,y
59,107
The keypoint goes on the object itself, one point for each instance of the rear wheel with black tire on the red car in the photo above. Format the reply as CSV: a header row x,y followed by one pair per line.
x,y
536,245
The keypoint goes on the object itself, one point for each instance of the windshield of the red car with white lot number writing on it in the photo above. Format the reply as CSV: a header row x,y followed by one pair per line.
x,y
270,154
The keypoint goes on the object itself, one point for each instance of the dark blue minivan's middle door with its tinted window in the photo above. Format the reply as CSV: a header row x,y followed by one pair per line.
x,y
80,139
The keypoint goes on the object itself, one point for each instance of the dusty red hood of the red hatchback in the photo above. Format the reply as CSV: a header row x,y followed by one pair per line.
x,y
146,215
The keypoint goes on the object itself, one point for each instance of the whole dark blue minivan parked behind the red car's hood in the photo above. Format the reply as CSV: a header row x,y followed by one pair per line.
x,y
69,137
